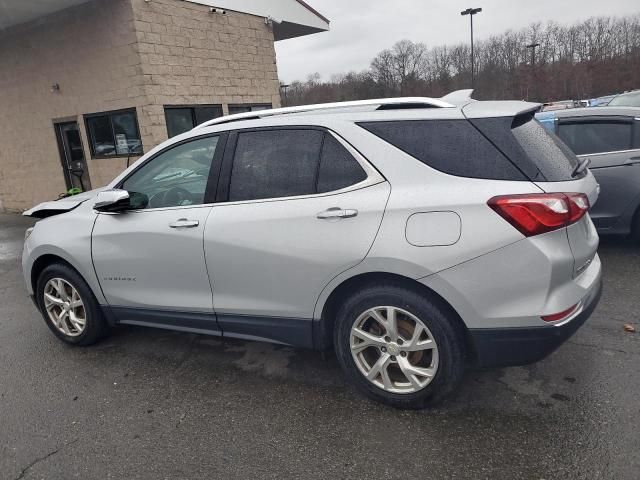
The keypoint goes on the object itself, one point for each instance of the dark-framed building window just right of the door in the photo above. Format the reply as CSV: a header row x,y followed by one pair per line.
x,y
113,134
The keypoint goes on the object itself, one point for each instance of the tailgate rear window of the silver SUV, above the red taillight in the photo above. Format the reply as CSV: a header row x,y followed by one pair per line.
x,y
537,152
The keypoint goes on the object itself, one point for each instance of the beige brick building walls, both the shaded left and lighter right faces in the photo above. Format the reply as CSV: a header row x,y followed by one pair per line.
x,y
113,54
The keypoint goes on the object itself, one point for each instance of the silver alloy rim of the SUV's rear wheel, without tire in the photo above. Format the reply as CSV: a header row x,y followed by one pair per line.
x,y
394,349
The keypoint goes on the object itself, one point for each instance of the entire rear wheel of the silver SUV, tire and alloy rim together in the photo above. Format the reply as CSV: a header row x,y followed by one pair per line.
x,y
446,362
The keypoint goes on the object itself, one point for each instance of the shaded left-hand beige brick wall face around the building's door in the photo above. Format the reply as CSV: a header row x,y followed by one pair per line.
x,y
89,51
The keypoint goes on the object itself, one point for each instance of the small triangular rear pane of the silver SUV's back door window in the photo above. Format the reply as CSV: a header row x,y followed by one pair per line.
x,y
338,168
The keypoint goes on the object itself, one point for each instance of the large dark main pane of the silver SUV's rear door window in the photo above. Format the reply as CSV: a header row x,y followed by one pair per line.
x,y
275,163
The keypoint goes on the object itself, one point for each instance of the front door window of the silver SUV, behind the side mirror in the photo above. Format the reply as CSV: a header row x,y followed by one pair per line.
x,y
176,177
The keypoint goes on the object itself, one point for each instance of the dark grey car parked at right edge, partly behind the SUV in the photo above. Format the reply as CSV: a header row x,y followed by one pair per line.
x,y
610,138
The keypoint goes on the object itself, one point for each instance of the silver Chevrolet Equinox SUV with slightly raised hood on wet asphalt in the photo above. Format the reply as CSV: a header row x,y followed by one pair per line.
x,y
413,236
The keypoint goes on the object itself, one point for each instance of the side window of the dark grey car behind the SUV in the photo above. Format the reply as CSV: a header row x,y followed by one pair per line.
x,y
596,136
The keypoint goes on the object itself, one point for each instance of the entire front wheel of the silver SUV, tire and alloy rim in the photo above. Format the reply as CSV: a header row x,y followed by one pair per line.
x,y
95,327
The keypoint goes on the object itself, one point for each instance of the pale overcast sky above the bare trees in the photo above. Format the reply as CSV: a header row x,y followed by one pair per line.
x,y
362,28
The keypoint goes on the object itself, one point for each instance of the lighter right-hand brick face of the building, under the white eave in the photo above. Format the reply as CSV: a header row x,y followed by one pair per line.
x,y
191,56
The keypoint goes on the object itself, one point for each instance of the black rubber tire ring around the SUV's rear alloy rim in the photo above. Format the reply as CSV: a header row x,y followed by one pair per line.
x,y
443,328
